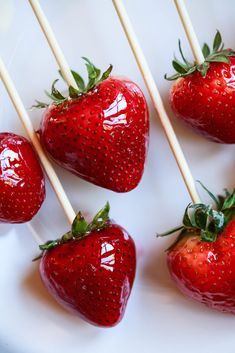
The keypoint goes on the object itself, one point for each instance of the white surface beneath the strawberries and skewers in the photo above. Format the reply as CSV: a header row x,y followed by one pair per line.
x,y
158,317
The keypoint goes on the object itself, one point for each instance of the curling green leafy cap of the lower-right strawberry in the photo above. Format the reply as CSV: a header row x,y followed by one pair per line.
x,y
207,221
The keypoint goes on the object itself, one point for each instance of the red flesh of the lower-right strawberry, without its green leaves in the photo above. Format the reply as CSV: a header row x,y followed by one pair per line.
x,y
206,271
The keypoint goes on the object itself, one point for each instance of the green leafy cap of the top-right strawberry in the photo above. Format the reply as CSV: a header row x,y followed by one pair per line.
x,y
217,54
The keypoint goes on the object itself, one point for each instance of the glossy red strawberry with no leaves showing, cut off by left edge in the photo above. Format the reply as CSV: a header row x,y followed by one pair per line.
x,y
22,186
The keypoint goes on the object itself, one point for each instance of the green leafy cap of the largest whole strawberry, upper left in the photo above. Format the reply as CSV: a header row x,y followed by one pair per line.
x,y
94,78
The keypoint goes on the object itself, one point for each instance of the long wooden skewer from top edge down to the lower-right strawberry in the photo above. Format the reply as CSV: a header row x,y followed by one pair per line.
x,y
157,101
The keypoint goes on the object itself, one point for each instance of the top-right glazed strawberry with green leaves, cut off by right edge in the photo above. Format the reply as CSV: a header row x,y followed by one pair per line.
x,y
203,96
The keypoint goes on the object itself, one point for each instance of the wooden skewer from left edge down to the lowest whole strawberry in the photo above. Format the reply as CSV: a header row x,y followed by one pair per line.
x,y
23,115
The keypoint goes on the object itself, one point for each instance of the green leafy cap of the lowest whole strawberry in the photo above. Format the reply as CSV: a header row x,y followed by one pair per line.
x,y
80,229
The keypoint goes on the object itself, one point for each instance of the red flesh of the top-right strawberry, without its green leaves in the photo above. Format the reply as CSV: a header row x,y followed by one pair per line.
x,y
207,104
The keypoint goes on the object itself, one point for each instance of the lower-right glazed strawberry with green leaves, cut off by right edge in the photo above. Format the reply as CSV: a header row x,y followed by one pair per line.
x,y
202,259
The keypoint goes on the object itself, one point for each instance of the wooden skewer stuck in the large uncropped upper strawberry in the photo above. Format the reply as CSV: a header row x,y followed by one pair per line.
x,y
51,39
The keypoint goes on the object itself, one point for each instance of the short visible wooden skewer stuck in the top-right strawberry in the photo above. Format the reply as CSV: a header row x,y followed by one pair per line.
x,y
189,30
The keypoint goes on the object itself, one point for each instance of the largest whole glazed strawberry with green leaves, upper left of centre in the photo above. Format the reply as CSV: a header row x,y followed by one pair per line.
x,y
100,131
